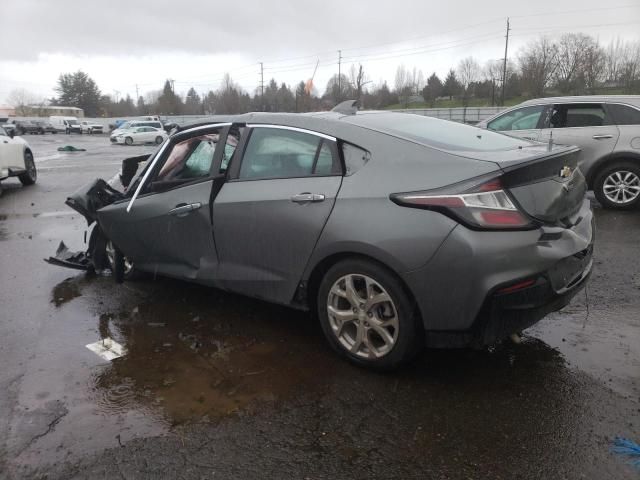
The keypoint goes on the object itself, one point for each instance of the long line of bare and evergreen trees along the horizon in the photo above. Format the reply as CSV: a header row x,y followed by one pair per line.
x,y
572,64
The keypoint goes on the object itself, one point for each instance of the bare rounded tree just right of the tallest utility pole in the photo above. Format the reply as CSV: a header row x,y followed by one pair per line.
x,y
538,62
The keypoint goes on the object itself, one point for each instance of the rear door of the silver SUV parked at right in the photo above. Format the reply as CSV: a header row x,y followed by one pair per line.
x,y
587,125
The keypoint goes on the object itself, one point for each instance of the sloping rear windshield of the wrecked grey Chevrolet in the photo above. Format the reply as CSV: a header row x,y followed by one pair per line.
x,y
441,134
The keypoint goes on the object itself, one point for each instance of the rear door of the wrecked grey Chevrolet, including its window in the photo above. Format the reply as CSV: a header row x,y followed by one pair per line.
x,y
269,215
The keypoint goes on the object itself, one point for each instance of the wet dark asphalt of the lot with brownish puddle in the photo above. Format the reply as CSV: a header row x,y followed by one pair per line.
x,y
214,385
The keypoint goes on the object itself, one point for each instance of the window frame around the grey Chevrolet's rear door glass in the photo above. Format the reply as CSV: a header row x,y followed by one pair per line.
x,y
236,163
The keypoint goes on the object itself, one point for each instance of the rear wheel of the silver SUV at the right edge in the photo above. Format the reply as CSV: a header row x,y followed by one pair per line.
x,y
617,186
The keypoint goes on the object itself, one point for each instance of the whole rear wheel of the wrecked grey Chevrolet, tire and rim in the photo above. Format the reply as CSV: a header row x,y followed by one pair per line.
x,y
367,316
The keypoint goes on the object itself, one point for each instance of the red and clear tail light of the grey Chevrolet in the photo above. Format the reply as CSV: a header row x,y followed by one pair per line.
x,y
485,207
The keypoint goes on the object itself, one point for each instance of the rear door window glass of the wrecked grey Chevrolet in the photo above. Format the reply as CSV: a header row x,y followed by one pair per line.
x,y
281,153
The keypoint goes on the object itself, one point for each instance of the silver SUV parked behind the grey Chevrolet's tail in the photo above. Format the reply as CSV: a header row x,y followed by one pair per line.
x,y
606,128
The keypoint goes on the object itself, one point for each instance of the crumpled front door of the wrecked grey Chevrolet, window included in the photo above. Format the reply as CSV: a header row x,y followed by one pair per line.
x,y
166,226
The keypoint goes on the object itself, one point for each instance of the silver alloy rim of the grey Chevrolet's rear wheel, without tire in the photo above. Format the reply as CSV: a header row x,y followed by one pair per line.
x,y
362,316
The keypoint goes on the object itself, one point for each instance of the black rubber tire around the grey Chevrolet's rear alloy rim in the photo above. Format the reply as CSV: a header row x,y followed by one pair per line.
x,y
410,332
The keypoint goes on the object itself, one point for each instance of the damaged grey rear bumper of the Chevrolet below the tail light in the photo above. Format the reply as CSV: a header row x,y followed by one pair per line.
x,y
463,292
